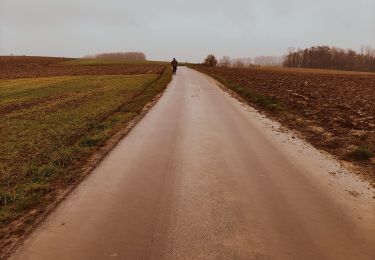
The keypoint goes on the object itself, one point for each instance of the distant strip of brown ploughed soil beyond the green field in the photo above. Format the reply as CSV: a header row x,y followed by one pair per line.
x,y
32,67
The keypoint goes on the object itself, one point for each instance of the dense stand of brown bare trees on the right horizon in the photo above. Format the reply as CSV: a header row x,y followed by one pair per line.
x,y
325,57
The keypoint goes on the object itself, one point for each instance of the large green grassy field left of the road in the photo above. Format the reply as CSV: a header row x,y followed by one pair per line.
x,y
50,125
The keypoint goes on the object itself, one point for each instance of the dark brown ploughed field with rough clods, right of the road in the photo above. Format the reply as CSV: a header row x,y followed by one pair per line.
x,y
334,111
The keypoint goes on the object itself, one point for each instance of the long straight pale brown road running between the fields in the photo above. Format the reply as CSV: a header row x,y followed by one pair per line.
x,y
204,177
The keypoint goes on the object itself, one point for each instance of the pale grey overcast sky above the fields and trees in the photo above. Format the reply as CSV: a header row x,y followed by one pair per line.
x,y
185,29
